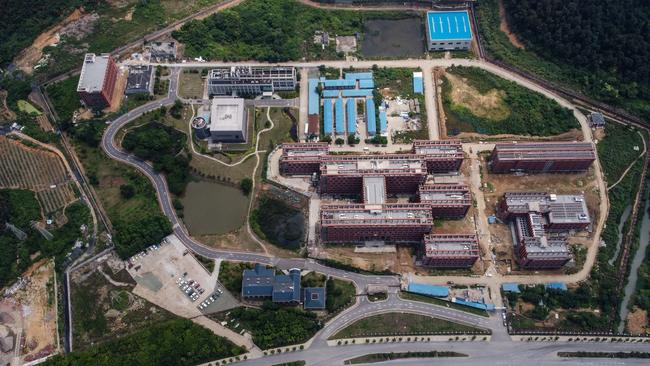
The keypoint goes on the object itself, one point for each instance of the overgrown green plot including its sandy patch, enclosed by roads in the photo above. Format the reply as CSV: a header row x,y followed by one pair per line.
x,y
477,102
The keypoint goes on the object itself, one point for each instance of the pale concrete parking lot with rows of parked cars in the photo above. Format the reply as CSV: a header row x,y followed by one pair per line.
x,y
170,277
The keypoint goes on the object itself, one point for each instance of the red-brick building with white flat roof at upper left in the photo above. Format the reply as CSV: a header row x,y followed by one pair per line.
x,y
97,81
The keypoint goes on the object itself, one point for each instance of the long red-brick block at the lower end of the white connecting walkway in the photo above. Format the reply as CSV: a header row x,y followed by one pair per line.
x,y
351,223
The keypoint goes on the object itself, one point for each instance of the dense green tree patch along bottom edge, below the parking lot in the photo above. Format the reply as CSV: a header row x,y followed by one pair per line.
x,y
176,342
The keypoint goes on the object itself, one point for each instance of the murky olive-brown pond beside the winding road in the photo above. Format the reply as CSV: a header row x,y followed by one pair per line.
x,y
213,208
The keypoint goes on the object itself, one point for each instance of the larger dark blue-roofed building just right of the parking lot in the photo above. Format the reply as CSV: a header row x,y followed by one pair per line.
x,y
262,283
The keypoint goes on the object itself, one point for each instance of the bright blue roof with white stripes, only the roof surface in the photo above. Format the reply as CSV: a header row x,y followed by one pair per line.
x,y
449,25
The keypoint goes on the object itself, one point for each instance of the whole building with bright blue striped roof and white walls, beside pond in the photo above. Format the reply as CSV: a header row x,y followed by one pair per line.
x,y
448,30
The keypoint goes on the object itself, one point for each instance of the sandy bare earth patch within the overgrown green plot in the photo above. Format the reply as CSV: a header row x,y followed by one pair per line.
x,y
488,105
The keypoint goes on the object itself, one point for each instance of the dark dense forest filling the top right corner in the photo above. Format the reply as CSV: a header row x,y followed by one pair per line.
x,y
606,40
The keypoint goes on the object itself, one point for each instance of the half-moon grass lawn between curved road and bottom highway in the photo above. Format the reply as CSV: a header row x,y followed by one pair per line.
x,y
390,324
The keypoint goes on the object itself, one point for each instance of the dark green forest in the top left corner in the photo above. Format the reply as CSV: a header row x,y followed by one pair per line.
x,y
21,21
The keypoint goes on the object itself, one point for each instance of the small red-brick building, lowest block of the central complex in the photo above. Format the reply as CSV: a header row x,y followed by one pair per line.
x,y
450,250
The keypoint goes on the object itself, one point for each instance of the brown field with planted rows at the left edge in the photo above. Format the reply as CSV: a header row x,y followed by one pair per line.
x,y
38,170
